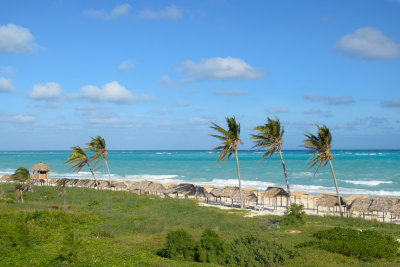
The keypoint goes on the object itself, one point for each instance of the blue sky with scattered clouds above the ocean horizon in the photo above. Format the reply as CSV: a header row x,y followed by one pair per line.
x,y
153,75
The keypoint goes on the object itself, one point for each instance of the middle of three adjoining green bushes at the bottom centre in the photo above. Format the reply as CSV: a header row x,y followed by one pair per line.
x,y
211,248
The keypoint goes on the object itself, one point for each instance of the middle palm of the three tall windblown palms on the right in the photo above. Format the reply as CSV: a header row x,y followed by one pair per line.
x,y
270,137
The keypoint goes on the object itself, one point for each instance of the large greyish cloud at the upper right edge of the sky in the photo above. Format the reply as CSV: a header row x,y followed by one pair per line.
x,y
368,43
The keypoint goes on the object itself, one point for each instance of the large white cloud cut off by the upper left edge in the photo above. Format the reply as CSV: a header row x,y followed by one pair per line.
x,y
16,40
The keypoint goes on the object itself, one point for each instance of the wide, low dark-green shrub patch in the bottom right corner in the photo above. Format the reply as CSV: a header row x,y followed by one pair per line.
x,y
364,245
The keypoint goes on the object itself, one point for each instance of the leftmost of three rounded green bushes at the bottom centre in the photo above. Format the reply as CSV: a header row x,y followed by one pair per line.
x,y
179,246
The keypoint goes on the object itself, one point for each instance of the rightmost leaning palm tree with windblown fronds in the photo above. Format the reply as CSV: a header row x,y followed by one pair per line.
x,y
320,146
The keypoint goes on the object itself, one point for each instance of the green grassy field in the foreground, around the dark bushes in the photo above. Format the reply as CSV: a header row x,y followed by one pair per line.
x,y
122,229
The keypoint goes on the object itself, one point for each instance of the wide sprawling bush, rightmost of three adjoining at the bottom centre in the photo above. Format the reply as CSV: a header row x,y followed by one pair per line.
x,y
249,250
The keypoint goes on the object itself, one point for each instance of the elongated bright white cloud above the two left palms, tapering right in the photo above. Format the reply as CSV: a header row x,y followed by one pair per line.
x,y
112,92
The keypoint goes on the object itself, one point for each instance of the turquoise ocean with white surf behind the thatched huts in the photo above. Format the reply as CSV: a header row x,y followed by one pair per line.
x,y
376,173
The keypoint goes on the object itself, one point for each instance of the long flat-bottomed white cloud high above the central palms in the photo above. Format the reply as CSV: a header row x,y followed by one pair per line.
x,y
221,68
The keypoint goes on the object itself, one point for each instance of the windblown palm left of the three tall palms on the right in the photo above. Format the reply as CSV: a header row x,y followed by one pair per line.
x,y
229,145
